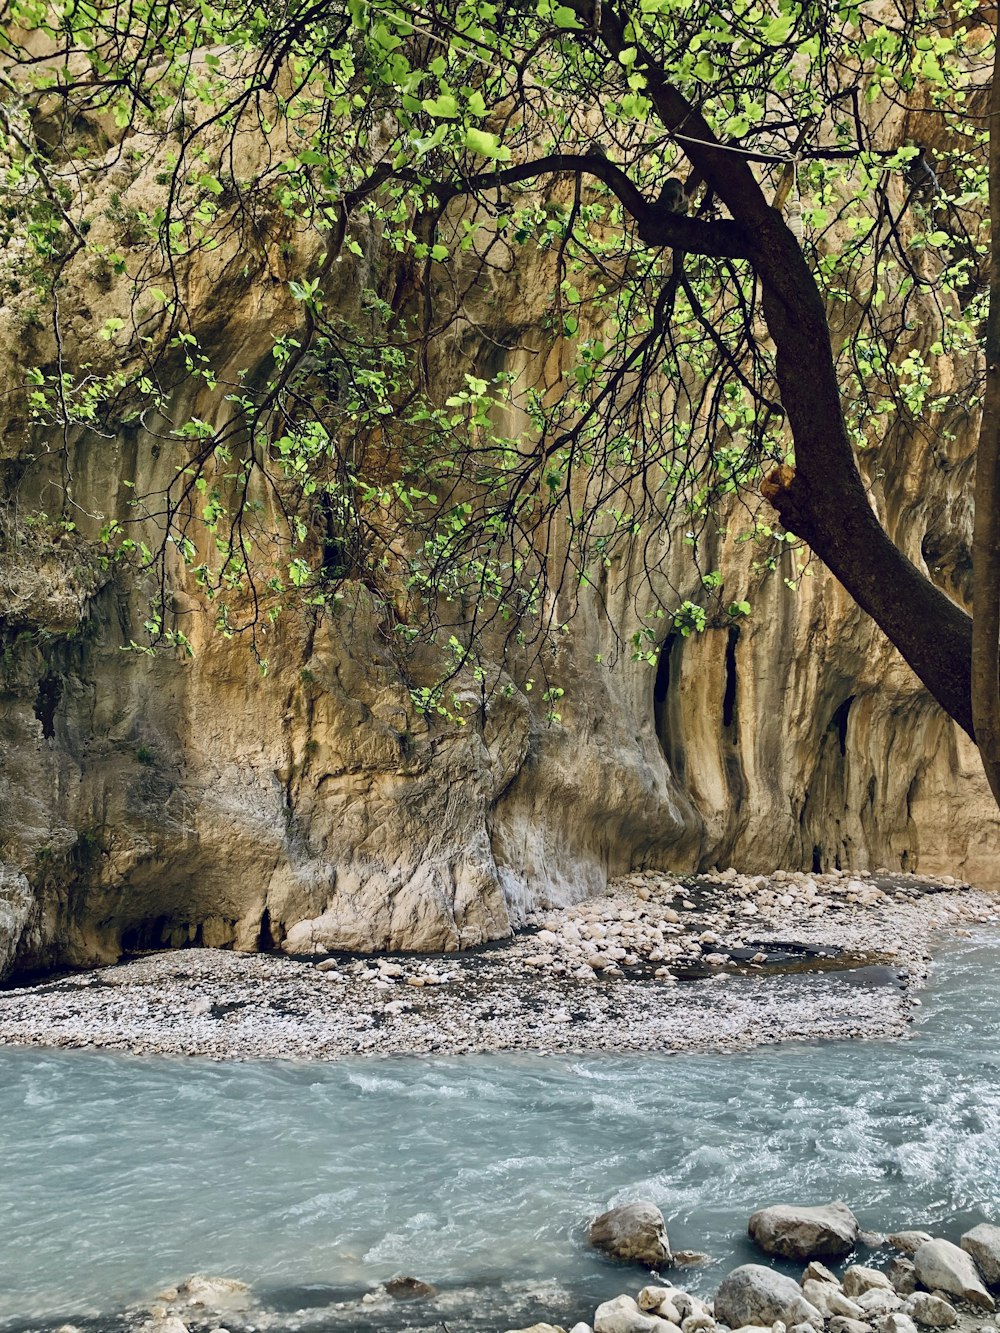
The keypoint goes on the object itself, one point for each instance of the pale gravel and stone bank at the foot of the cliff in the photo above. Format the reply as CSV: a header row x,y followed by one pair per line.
x,y
721,962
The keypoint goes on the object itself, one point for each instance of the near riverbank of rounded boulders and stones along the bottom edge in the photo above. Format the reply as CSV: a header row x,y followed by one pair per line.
x,y
906,1283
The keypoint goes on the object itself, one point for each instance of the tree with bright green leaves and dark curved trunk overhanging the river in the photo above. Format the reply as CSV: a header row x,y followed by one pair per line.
x,y
722,338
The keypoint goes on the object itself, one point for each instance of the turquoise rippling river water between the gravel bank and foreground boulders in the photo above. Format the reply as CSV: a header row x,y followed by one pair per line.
x,y
317,1182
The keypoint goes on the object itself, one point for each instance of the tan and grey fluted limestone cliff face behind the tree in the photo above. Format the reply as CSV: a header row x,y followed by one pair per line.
x,y
163,802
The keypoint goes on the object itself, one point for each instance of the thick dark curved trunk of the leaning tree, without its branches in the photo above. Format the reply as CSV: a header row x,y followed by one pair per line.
x,y
825,501
